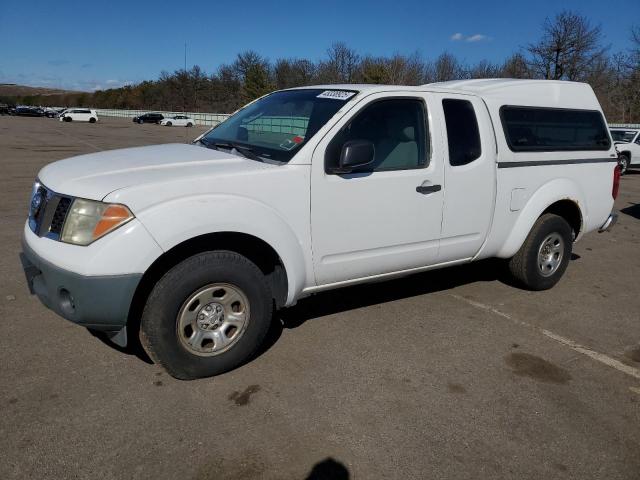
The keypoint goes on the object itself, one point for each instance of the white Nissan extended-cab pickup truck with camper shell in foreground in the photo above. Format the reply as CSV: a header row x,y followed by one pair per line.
x,y
191,247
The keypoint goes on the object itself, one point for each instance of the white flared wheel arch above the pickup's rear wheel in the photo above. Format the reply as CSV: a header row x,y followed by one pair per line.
x,y
545,196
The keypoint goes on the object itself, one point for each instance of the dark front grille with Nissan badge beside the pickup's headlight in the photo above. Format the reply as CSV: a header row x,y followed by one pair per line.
x,y
48,211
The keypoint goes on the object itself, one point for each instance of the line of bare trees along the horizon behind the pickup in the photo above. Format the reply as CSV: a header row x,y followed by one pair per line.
x,y
570,47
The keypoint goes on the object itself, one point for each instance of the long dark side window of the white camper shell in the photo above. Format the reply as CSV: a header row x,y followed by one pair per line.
x,y
533,129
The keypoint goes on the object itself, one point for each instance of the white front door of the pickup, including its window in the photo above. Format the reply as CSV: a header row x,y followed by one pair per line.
x,y
385,217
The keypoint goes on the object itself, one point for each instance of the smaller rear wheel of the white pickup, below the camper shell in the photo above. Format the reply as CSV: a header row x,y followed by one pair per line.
x,y
530,266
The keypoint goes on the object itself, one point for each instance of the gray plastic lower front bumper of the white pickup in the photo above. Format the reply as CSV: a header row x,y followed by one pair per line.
x,y
100,303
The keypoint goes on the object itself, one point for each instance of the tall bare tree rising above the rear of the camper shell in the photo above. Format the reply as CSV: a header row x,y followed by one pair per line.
x,y
567,49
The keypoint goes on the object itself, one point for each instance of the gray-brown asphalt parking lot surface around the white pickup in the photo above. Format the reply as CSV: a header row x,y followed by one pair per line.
x,y
450,374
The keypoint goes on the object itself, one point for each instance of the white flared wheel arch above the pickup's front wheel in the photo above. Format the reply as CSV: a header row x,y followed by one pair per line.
x,y
173,222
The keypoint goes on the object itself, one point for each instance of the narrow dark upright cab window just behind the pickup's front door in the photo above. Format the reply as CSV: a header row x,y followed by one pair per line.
x,y
462,131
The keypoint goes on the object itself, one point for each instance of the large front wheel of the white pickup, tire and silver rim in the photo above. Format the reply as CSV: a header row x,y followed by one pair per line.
x,y
173,317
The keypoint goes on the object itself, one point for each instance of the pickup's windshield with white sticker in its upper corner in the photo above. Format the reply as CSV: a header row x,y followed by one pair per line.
x,y
276,126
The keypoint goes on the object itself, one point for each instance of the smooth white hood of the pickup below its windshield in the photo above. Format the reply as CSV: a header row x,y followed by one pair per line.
x,y
95,175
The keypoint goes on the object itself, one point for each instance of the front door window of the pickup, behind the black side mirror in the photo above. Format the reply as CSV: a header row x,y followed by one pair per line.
x,y
397,129
